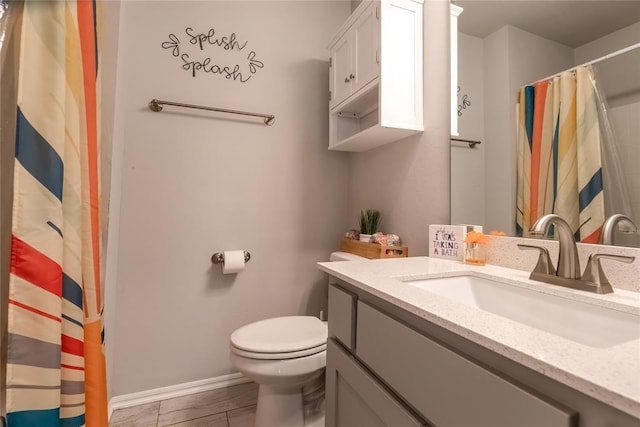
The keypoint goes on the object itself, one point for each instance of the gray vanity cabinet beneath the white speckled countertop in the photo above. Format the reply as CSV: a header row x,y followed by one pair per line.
x,y
389,367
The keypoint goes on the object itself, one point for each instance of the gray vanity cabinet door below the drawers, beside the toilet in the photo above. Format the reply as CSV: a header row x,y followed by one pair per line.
x,y
355,399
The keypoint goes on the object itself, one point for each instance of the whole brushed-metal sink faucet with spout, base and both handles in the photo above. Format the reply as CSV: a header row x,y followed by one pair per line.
x,y
567,271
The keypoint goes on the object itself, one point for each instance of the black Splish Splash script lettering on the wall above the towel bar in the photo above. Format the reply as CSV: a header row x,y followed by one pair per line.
x,y
208,53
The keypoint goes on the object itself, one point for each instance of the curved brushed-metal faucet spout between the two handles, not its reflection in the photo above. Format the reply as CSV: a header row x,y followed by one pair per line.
x,y
568,261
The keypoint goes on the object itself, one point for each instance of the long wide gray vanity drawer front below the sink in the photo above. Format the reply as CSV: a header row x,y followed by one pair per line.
x,y
446,388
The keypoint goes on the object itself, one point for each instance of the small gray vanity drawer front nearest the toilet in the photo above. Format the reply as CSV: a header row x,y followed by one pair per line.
x,y
342,316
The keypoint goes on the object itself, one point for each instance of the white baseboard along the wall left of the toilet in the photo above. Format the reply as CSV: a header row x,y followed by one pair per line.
x,y
178,390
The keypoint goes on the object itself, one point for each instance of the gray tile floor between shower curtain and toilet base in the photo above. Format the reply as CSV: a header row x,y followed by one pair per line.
x,y
233,406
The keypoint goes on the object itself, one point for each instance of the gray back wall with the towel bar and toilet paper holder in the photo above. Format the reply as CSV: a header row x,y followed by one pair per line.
x,y
193,183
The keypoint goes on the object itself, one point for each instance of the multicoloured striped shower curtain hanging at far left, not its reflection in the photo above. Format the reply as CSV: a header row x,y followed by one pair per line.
x,y
55,360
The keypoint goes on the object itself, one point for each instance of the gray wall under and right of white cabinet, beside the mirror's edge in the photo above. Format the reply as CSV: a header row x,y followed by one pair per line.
x,y
408,180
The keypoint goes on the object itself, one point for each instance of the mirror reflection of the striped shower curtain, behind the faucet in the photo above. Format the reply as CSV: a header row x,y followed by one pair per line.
x,y
559,167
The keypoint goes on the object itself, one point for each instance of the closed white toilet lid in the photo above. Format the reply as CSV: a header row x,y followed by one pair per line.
x,y
281,334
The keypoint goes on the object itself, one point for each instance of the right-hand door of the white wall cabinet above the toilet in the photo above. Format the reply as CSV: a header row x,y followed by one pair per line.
x,y
366,40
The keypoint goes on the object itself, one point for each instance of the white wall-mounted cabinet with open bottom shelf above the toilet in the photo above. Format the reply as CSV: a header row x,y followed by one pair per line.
x,y
375,77
